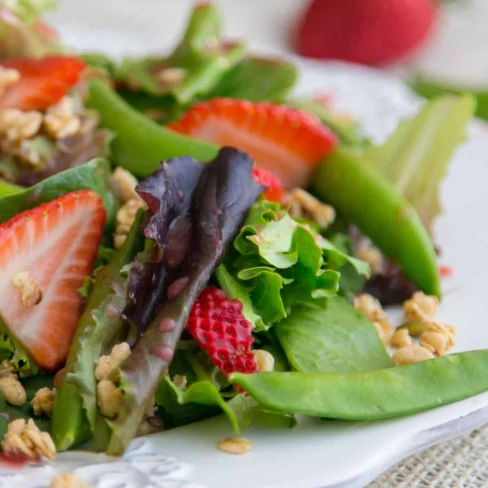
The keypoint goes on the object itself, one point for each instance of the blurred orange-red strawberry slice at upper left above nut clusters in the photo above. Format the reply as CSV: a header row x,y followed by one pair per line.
x,y
42,83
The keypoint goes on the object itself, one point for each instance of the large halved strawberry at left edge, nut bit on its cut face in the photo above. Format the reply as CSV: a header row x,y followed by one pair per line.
x,y
53,246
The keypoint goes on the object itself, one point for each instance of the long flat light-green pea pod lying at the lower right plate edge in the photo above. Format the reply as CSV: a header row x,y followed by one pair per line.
x,y
369,395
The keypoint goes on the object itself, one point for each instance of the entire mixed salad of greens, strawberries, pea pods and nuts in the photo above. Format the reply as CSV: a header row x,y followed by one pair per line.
x,y
142,290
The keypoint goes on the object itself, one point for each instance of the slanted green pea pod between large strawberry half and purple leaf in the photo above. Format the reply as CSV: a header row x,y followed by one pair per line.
x,y
75,409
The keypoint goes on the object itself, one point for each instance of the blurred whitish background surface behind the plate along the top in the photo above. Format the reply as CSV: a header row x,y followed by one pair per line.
x,y
457,50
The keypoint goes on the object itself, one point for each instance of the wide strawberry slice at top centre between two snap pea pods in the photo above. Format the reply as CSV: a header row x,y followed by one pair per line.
x,y
286,141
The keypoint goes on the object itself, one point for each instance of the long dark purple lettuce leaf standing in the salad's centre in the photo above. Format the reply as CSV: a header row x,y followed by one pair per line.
x,y
220,202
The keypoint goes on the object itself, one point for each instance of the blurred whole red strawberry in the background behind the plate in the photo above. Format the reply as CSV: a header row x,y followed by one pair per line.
x,y
367,32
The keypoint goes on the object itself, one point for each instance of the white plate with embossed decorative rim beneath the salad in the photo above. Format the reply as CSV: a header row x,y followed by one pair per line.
x,y
321,454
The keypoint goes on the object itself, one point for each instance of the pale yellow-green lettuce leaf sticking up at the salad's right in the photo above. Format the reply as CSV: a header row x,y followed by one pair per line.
x,y
416,156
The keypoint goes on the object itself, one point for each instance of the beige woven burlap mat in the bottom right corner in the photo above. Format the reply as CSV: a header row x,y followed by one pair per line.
x,y
462,462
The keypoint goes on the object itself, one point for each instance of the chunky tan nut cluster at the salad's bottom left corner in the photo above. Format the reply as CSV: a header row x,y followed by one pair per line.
x,y
27,439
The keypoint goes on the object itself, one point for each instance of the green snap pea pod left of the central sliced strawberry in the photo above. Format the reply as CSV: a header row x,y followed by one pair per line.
x,y
141,144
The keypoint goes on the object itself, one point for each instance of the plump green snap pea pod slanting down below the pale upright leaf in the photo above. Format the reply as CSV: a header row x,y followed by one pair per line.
x,y
362,195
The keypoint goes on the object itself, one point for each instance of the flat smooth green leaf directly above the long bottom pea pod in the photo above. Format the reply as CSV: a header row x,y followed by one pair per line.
x,y
337,338
